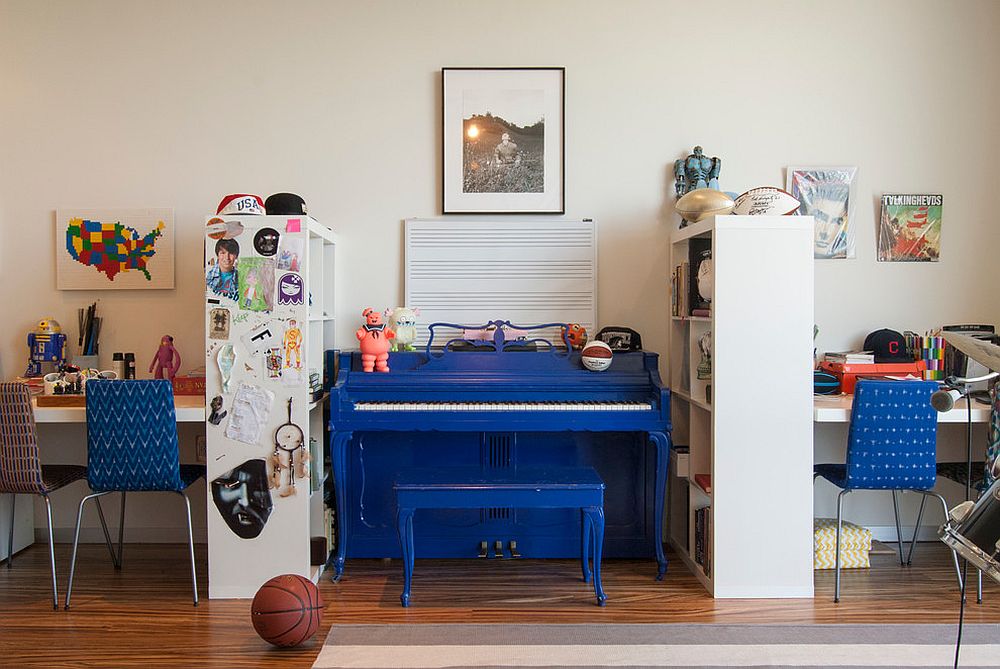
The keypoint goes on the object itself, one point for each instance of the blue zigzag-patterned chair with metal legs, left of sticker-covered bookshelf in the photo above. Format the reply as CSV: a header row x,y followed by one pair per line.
x,y
132,447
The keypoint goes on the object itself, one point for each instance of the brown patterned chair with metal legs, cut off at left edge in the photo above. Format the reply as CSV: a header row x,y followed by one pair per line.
x,y
21,471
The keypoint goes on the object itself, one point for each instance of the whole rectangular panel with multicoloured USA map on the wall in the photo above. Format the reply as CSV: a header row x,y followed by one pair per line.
x,y
114,249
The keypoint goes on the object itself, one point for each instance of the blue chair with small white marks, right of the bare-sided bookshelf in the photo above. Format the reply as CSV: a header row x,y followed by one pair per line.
x,y
892,445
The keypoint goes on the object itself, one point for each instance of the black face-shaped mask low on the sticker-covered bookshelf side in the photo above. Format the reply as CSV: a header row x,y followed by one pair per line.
x,y
242,497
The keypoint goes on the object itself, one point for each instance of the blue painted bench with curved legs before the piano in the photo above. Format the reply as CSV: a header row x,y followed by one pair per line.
x,y
526,488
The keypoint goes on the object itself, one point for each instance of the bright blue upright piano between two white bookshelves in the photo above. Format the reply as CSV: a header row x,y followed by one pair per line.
x,y
498,405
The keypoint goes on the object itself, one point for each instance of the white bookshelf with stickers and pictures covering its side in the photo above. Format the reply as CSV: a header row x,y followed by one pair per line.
x,y
265,335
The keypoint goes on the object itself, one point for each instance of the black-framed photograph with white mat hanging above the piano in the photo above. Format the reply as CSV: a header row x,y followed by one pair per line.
x,y
503,149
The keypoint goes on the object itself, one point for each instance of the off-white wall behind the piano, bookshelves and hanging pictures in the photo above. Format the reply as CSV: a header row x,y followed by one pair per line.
x,y
134,104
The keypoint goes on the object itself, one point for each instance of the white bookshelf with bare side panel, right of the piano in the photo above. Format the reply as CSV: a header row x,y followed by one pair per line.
x,y
748,426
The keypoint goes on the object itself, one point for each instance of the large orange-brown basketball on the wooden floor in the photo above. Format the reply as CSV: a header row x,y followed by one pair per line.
x,y
287,610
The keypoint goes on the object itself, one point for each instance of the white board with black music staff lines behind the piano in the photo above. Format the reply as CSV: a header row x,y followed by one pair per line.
x,y
526,272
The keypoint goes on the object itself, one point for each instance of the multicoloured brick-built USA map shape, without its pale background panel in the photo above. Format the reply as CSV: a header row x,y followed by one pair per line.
x,y
111,248
